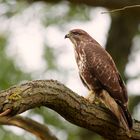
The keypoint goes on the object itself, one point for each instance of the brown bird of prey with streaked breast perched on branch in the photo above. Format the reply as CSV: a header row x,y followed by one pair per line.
x,y
99,74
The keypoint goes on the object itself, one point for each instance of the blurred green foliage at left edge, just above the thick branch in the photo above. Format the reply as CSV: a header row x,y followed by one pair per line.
x,y
10,74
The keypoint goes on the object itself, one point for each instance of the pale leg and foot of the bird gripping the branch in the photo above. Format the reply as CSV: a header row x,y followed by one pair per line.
x,y
92,98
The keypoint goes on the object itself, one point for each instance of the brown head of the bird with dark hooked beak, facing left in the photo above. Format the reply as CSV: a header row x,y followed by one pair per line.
x,y
77,35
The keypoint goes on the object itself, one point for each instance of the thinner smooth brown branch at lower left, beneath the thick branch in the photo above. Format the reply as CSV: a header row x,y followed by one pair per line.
x,y
39,130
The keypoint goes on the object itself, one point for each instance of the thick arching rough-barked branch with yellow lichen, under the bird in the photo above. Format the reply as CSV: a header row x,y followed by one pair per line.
x,y
68,104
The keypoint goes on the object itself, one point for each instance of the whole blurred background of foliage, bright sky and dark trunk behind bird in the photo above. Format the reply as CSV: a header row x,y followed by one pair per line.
x,y
32,46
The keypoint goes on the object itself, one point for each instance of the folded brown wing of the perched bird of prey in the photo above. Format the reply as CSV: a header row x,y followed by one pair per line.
x,y
102,66
